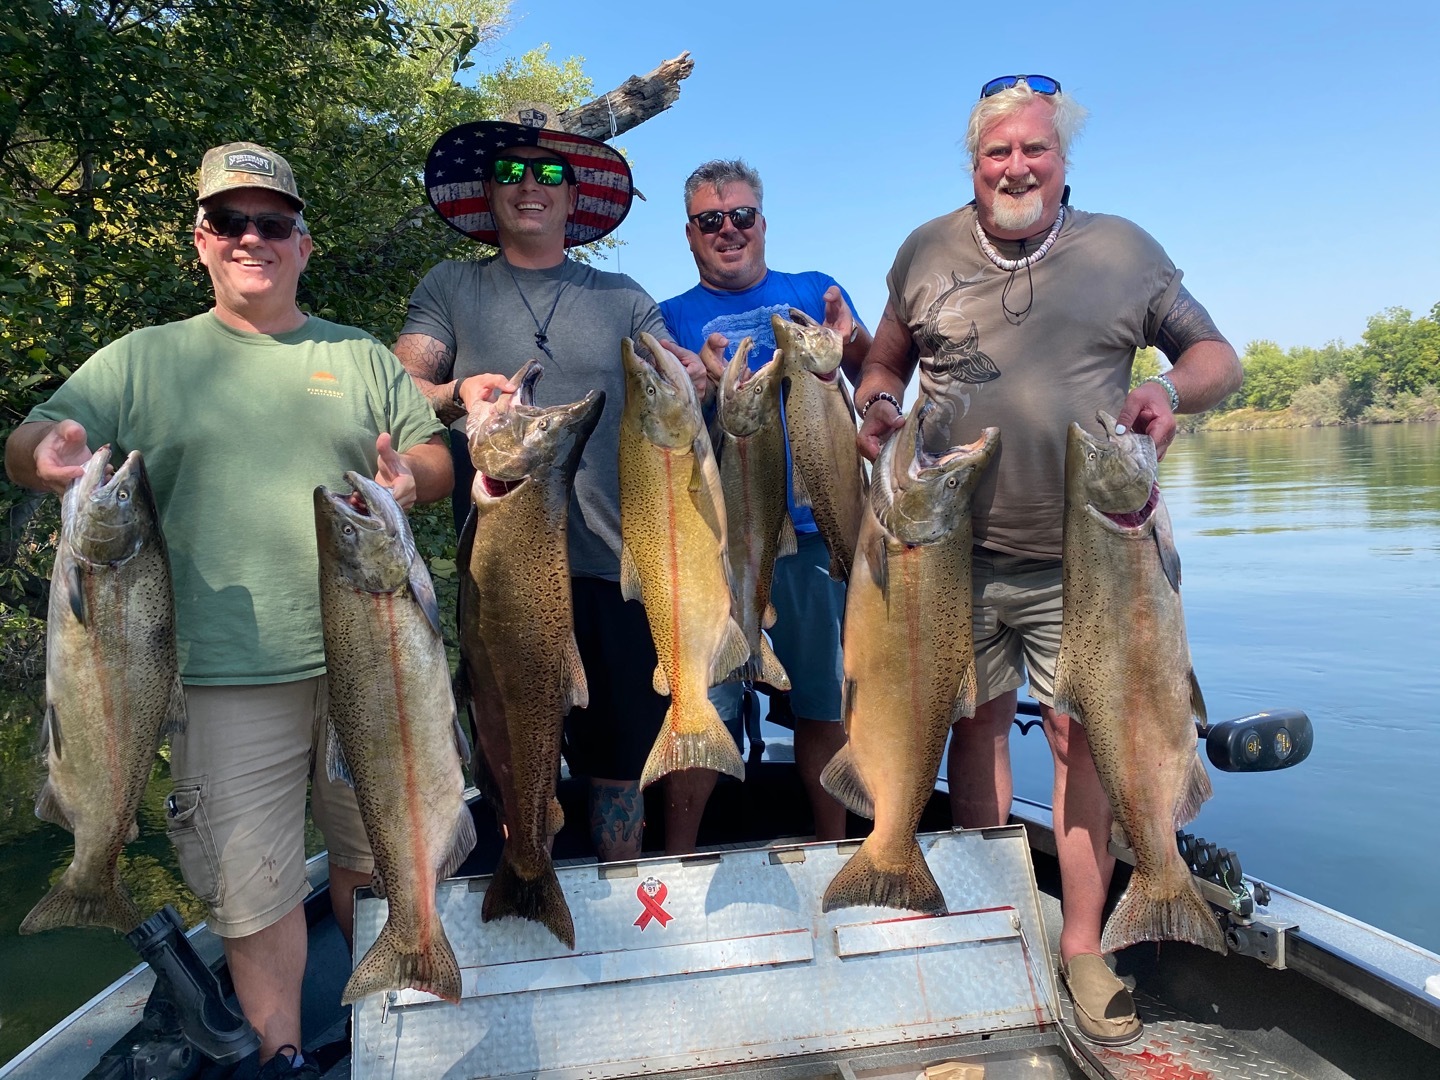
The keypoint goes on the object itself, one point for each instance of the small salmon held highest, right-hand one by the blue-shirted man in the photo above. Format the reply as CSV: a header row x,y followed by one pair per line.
x,y
820,421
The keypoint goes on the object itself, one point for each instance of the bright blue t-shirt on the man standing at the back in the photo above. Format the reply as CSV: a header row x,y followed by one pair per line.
x,y
695,316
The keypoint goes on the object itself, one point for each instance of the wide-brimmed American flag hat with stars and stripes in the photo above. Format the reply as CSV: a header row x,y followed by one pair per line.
x,y
456,171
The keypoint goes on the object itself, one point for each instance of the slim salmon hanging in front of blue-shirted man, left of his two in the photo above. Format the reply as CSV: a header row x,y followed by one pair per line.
x,y
758,522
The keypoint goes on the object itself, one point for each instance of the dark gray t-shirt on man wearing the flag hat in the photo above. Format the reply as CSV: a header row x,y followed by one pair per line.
x,y
479,312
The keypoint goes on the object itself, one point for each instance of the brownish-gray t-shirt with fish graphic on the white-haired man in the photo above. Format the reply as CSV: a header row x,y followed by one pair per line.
x,y
1099,294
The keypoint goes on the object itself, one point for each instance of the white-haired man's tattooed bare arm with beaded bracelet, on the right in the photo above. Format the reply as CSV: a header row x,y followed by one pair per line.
x,y
1206,371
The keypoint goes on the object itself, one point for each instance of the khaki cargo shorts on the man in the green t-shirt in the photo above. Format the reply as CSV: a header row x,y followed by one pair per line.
x,y
237,814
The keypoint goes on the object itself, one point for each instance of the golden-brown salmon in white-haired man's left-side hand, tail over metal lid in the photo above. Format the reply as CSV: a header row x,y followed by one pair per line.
x,y
909,657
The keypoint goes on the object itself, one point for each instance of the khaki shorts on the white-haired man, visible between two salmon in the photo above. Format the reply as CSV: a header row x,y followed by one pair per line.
x,y
1017,624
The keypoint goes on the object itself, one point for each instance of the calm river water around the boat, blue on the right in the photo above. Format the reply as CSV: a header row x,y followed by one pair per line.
x,y
1311,581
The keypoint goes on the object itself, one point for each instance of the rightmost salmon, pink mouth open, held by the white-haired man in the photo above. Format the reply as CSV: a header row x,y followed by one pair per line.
x,y
1125,673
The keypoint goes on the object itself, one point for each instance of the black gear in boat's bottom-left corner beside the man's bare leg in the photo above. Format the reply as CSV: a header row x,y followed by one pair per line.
x,y
186,1023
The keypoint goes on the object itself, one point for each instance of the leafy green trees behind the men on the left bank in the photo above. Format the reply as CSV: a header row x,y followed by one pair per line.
x,y
106,112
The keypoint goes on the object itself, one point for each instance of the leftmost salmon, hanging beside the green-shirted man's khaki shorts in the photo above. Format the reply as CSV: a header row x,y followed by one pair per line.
x,y
112,686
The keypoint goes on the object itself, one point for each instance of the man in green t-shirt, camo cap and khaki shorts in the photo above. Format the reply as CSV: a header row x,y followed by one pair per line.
x,y
241,413
